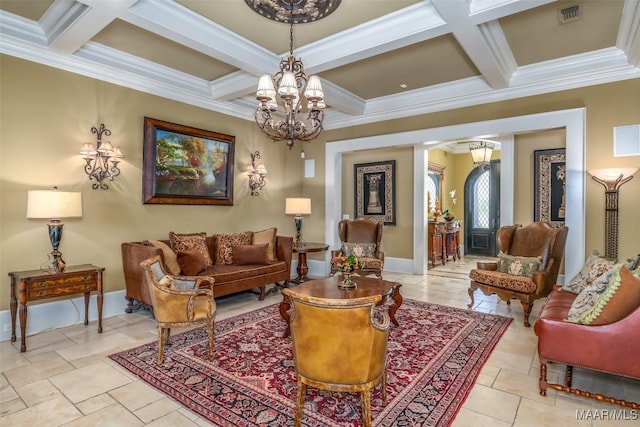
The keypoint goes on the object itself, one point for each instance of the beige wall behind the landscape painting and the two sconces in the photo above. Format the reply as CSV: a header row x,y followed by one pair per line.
x,y
46,115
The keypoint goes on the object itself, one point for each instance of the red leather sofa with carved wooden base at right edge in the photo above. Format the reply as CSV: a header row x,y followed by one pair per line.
x,y
611,348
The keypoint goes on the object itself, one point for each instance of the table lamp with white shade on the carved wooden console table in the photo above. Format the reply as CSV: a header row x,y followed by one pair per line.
x,y
54,205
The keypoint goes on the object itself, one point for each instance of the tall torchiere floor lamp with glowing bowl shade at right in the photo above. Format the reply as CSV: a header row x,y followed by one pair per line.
x,y
611,179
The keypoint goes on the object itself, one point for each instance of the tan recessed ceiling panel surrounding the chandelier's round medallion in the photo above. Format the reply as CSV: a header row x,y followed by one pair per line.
x,y
274,36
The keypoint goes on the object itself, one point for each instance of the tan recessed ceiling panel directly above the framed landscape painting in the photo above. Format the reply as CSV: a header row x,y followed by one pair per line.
x,y
136,41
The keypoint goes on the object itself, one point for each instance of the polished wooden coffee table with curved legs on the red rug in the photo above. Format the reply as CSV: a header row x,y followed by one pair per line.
x,y
327,288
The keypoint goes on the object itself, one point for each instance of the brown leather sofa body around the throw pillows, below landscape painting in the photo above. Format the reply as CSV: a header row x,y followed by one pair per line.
x,y
228,279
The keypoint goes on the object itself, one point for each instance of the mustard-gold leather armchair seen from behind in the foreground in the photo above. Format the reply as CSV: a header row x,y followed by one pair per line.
x,y
338,345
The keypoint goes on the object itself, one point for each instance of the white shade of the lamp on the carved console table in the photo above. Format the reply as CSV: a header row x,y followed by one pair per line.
x,y
54,204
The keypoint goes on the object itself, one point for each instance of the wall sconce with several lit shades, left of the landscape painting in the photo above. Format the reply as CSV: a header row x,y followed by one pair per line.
x,y
102,159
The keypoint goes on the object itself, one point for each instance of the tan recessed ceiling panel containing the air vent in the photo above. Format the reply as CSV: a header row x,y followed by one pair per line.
x,y
537,35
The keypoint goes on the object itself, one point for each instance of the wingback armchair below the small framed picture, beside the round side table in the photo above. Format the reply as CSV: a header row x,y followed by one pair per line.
x,y
361,237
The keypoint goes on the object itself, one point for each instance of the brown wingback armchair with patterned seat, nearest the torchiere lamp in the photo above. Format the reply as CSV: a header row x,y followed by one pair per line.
x,y
527,267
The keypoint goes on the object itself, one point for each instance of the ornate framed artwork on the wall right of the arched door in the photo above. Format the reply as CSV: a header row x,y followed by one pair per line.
x,y
549,186
